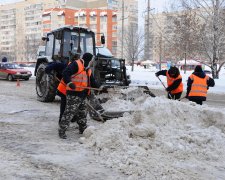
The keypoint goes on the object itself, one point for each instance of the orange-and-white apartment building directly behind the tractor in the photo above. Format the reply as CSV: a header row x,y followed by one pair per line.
x,y
100,21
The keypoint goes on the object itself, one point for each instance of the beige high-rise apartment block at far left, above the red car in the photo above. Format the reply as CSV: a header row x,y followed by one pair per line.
x,y
20,29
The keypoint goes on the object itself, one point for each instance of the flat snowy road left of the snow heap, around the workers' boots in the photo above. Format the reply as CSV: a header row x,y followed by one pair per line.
x,y
30,147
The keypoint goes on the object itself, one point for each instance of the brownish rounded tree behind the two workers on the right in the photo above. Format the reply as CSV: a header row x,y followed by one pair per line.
x,y
186,37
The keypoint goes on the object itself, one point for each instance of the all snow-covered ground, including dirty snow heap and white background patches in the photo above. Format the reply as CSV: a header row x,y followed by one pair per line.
x,y
162,139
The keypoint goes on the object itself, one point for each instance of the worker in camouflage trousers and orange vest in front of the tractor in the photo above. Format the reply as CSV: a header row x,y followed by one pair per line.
x,y
78,78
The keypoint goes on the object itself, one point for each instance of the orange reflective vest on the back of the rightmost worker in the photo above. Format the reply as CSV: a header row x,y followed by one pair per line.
x,y
199,86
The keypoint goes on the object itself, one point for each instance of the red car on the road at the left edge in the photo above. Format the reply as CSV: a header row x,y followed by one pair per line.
x,y
11,71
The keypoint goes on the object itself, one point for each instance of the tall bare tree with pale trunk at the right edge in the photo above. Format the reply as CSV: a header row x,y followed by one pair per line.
x,y
212,31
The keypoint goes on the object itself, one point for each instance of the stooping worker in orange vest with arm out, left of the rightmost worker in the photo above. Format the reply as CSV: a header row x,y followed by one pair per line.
x,y
174,82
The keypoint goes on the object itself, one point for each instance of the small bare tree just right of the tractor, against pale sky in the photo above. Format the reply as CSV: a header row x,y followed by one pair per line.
x,y
133,43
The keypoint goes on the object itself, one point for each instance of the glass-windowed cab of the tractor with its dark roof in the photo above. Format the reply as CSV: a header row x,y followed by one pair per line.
x,y
63,42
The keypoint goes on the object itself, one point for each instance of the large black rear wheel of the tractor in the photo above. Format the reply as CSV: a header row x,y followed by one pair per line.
x,y
46,85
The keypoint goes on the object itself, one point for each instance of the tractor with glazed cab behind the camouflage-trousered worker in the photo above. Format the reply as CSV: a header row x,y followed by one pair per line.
x,y
60,45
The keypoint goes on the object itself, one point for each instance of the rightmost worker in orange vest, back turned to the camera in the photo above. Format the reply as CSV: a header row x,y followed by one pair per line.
x,y
198,85
